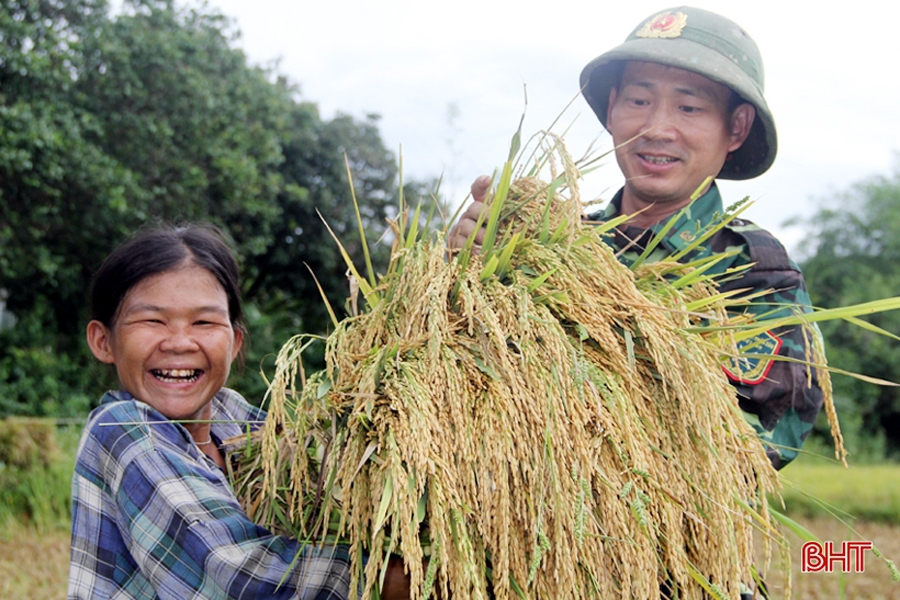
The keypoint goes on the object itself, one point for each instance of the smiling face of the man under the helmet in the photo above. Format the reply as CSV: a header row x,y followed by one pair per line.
x,y
672,129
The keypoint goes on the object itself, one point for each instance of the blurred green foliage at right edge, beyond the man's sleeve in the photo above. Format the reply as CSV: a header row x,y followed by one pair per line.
x,y
853,256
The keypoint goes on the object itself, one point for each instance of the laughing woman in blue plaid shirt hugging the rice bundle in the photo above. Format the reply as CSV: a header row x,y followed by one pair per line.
x,y
153,513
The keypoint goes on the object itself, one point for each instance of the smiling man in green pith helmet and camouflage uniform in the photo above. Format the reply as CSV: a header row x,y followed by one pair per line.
x,y
683,100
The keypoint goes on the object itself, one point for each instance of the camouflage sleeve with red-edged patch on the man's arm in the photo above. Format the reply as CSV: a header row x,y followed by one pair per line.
x,y
780,398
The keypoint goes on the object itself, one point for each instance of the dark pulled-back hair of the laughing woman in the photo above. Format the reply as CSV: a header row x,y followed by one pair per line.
x,y
158,250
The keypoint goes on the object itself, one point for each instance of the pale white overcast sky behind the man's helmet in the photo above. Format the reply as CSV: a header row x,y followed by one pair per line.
x,y
451,80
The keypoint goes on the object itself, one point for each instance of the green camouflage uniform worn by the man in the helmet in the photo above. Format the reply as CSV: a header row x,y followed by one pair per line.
x,y
780,399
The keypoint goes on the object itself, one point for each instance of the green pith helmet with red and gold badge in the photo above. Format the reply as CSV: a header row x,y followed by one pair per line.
x,y
705,43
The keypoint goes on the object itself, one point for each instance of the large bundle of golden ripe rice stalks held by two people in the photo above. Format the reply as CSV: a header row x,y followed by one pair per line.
x,y
530,420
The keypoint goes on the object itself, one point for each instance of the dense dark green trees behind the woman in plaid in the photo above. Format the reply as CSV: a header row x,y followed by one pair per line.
x,y
108,124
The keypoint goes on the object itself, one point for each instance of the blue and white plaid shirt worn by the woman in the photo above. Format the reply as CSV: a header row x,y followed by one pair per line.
x,y
154,517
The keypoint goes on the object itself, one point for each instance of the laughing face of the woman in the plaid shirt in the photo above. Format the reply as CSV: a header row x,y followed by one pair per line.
x,y
172,341
